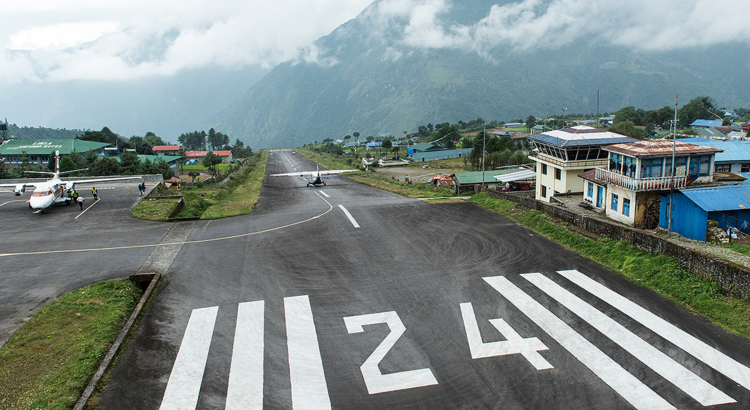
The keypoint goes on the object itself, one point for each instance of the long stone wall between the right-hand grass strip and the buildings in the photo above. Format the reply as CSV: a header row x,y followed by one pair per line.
x,y
732,277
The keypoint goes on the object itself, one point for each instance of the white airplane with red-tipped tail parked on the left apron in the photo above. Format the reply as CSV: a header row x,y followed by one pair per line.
x,y
53,190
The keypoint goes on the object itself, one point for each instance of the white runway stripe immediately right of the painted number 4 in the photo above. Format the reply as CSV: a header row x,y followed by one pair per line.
x,y
621,381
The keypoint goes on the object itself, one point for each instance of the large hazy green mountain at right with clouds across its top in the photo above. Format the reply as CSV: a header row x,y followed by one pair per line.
x,y
402,63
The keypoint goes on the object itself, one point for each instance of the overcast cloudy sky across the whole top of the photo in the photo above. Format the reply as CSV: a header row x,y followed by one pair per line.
x,y
54,40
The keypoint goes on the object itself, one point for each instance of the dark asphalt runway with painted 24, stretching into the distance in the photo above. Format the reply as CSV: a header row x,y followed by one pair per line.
x,y
349,297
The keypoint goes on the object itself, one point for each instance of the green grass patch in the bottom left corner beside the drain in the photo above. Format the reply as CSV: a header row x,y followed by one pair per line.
x,y
49,361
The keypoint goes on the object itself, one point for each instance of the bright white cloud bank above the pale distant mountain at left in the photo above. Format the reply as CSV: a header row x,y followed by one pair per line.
x,y
118,40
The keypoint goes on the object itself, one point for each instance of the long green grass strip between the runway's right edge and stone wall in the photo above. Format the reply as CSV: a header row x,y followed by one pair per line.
x,y
657,272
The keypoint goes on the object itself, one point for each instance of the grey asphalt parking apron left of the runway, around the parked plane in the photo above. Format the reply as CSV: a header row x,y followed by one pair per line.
x,y
33,271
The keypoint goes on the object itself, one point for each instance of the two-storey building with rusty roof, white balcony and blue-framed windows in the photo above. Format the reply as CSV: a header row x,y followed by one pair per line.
x,y
630,186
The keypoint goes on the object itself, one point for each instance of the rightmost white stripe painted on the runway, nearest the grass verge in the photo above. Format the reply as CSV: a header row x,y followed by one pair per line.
x,y
700,350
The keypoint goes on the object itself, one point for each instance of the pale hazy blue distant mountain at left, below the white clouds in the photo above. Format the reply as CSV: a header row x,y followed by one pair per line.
x,y
167,106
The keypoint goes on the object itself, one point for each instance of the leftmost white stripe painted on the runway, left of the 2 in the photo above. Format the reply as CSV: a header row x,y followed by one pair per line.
x,y
184,385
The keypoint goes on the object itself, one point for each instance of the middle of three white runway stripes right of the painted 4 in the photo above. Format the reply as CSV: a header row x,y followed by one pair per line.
x,y
688,382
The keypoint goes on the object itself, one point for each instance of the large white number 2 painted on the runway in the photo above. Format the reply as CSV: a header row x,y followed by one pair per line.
x,y
377,382
